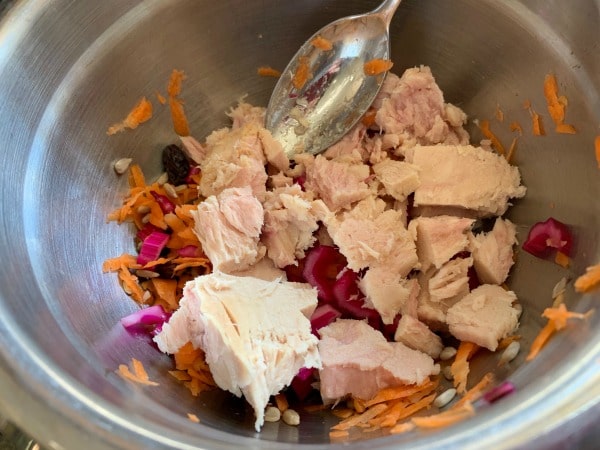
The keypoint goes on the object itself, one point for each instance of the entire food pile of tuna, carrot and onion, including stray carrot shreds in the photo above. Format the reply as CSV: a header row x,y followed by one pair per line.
x,y
362,280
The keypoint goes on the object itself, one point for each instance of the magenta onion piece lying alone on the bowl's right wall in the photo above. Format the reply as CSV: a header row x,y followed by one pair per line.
x,y
545,236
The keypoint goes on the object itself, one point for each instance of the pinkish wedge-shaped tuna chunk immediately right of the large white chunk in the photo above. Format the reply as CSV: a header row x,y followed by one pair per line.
x,y
358,360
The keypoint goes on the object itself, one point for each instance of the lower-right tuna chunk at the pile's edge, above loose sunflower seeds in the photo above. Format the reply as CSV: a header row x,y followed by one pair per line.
x,y
484,317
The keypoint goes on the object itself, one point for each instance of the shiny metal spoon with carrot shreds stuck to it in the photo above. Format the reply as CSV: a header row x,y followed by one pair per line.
x,y
311,117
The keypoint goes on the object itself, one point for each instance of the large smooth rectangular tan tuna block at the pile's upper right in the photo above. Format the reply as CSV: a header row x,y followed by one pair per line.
x,y
465,177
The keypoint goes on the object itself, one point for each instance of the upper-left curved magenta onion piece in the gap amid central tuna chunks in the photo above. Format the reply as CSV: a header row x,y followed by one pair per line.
x,y
322,265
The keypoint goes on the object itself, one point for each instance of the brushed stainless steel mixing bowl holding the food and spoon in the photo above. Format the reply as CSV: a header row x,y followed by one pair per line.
x,y
68,69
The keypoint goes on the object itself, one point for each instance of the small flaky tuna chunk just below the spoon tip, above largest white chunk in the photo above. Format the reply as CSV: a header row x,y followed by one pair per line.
x,y
289,225
